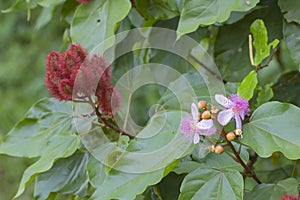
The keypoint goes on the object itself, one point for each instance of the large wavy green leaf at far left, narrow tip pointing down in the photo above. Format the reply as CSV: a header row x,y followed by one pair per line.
x,y
46,131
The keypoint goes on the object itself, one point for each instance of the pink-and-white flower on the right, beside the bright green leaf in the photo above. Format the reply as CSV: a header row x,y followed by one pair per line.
x,y
235,107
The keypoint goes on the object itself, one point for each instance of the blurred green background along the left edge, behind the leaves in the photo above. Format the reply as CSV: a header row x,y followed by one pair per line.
x,y
23,50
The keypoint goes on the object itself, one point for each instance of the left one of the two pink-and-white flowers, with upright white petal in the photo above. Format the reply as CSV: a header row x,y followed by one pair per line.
x,y
192,128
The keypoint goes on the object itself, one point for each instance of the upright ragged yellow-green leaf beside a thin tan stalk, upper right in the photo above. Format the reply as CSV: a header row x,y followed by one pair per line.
x,y
260,41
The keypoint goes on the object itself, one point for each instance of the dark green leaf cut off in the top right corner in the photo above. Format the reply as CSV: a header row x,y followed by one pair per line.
x,y
290,10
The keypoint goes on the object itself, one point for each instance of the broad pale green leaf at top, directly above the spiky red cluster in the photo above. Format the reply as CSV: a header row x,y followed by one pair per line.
x,y
96,21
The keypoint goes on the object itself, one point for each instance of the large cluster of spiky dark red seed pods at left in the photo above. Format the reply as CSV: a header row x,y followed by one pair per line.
x,y
73,74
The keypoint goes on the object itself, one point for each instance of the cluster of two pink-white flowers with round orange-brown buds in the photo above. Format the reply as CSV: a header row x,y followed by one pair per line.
x,y
201,123
